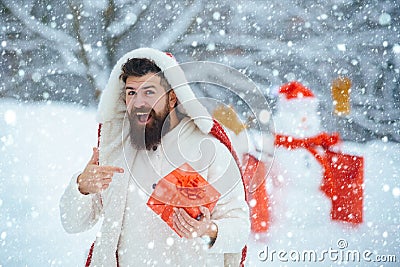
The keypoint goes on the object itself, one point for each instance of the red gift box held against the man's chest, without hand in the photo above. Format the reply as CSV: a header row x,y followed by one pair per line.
x,y
182,188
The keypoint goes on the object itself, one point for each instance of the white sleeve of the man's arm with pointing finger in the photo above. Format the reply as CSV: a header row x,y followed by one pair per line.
x,y
79,212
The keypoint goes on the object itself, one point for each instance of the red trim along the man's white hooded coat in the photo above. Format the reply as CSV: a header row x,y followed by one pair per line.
x,y
218,132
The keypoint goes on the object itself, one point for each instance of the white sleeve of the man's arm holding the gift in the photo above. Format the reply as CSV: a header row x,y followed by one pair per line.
x,y
231,214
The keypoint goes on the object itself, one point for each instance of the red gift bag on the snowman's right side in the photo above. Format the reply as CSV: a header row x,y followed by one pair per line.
x,y
343,183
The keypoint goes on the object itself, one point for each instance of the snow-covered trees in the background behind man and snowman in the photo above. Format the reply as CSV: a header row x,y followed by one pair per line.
x,y
63,50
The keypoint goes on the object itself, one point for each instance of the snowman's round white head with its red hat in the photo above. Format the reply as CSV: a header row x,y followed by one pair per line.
x,y
297,111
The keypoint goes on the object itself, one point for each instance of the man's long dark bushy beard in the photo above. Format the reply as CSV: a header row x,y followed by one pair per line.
x,y
149,135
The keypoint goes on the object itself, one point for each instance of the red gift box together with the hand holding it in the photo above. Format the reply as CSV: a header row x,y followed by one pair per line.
x,y
184,200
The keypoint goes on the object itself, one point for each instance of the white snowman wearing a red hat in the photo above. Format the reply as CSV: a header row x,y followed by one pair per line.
x,y
300,210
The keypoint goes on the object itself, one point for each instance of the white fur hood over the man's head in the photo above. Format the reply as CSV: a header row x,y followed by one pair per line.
x,y
112,109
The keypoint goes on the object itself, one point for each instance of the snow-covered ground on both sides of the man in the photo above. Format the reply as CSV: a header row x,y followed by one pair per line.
x,y
42,145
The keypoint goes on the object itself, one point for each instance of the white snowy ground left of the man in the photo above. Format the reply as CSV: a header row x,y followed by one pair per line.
x,y
42,145
